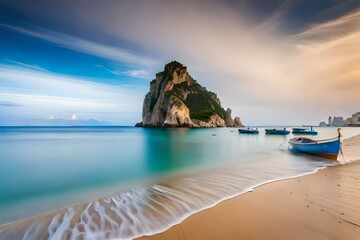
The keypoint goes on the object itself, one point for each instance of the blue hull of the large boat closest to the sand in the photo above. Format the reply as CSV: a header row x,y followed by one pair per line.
x,y
324,149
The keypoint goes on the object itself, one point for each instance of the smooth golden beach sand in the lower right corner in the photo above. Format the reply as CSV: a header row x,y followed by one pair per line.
x,y
323,205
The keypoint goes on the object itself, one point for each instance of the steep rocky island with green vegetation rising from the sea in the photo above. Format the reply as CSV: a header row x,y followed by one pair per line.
x,y
175,99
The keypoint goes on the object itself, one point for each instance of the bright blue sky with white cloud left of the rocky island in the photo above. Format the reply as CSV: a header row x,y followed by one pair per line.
x,y
46,73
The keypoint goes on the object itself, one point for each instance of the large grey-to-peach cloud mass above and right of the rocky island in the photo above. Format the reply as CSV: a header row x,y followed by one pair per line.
x,y
265,74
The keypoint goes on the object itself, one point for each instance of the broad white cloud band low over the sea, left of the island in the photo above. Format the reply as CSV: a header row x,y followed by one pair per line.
x,y
43,94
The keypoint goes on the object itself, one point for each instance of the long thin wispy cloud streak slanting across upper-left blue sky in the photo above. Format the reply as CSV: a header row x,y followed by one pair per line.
x,y
109,52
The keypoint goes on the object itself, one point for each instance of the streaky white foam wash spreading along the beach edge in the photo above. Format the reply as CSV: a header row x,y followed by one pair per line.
x,y
150,210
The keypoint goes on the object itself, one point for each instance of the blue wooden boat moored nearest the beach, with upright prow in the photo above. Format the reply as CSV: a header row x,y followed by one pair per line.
x,y
328,148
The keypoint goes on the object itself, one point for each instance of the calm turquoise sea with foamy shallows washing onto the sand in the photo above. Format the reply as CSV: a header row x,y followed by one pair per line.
x,y
149,179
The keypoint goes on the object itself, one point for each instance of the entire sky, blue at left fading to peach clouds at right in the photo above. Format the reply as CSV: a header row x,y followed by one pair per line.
x,y
280,62
